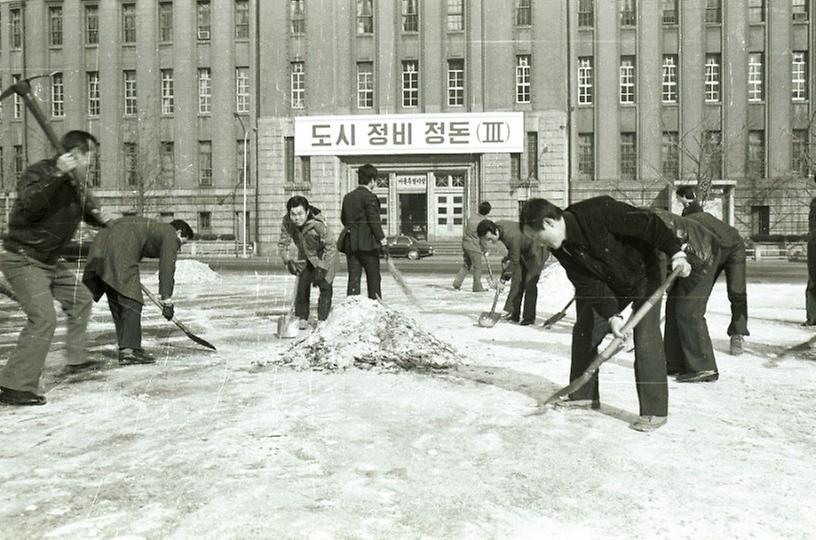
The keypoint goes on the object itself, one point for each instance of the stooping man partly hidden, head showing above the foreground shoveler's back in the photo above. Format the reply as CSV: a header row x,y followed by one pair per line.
x,y
732,260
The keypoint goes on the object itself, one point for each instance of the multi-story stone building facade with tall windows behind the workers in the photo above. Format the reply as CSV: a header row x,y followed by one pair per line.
x,y
454,101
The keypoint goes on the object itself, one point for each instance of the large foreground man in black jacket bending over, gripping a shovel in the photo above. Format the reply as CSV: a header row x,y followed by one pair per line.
x,y
609,251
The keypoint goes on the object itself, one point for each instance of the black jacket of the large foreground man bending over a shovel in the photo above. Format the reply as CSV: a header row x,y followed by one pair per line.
x,y
608,248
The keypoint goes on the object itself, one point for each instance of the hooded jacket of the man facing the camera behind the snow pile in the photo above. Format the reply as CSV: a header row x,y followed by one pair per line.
x,y
314,241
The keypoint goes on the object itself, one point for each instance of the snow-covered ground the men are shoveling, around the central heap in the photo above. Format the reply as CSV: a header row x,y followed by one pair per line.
x,y
232,444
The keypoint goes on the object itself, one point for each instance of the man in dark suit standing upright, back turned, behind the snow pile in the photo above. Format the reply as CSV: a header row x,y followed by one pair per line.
x,y
364,236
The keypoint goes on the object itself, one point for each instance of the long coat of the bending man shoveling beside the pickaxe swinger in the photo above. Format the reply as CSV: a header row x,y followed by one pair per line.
x,y
117,250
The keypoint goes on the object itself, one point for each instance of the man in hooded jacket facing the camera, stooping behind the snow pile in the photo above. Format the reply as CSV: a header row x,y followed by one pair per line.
x,y
317,255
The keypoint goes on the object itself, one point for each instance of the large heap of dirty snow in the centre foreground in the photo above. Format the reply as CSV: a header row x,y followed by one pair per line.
x,y
364,333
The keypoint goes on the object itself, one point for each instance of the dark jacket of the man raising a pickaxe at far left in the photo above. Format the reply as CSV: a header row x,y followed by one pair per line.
x,y
46,213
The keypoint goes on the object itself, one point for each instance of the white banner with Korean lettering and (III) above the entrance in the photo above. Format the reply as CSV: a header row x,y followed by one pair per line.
x,y
443,133
